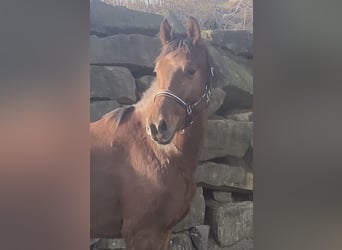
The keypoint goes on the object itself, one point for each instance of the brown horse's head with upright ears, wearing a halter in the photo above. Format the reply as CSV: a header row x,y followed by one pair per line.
x,y
182,83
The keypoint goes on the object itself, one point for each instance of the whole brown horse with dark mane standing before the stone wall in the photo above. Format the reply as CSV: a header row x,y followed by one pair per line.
x,y
143,157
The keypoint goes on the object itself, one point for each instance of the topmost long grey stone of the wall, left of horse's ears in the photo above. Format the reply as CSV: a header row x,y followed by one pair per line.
x,y
106,20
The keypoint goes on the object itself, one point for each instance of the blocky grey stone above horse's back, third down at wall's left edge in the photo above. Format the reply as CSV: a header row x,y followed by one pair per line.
x,y
114,83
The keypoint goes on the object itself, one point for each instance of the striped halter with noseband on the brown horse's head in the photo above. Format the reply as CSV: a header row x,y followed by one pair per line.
x,y
189,107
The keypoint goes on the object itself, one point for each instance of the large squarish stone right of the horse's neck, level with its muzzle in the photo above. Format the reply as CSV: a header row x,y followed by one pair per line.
x,y
227,138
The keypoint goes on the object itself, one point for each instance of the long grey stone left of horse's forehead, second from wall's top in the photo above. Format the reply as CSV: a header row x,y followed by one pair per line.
x,y
132,51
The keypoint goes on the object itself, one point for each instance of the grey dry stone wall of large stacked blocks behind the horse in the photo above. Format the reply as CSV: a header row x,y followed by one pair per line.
x,y
123,46
